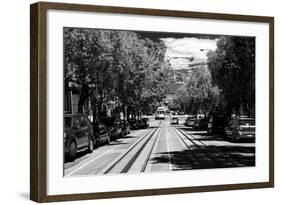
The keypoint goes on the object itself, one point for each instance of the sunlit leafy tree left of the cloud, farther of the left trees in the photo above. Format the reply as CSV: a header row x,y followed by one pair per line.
x,y
141,71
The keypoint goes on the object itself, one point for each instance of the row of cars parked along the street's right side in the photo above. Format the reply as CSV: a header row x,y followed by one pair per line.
x,y
237,128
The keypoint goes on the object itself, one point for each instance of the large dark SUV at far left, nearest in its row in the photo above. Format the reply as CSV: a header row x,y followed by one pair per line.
x,y
78,135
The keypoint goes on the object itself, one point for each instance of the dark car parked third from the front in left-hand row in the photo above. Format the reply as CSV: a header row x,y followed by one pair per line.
x,y
115,127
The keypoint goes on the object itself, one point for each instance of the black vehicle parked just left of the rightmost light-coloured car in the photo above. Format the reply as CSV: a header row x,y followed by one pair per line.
x,y
216,124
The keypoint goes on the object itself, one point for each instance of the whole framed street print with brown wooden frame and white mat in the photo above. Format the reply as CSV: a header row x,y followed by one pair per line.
x,y
133,102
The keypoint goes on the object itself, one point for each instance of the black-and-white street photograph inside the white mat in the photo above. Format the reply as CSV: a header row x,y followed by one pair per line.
x,y
140,102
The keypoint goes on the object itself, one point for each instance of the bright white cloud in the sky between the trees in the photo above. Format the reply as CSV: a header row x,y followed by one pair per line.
x,y
178,49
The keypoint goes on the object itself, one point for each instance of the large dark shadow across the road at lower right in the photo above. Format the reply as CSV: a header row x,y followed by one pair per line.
x,y
196,158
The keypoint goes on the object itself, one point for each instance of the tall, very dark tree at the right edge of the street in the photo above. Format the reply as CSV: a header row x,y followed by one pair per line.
x,y
232,67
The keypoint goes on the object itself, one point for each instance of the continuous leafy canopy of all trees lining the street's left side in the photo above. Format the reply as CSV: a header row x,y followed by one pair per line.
x,y
119,66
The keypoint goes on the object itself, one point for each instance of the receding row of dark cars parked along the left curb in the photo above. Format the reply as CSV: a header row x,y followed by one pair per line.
x,y
82,135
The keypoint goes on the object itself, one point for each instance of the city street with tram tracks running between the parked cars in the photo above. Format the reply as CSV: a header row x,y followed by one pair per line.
x,y
163,147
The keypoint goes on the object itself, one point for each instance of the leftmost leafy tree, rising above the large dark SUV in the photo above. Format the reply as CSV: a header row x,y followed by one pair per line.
x,y
87,65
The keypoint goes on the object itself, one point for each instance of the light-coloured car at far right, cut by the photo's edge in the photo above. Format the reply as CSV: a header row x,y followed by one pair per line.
x,y
240,128
